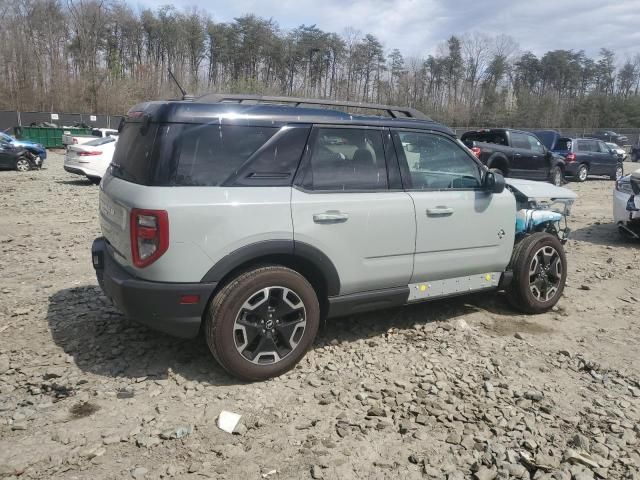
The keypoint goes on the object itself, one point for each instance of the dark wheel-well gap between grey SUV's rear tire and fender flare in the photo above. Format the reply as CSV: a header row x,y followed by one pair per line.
x,y
299,264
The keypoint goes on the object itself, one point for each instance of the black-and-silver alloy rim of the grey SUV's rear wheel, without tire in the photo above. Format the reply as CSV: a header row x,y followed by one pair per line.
x,y
269,325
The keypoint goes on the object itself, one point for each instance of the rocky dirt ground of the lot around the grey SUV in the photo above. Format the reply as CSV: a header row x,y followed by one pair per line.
x,y
456,389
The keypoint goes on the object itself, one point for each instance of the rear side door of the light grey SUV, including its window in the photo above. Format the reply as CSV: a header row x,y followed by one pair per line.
x,y
349,204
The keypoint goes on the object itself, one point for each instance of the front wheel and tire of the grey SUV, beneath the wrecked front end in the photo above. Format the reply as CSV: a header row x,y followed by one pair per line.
x,y
539,266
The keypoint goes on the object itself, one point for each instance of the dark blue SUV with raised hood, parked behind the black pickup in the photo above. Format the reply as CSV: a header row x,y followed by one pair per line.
x,y
583,156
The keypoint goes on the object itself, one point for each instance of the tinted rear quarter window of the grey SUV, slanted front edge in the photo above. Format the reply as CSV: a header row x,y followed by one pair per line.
x,y
207,155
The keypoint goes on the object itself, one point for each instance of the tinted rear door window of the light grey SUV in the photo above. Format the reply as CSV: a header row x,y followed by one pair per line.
x,y
347,159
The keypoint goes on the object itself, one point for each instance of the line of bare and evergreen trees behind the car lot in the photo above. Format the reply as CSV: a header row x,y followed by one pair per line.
x,y
102,56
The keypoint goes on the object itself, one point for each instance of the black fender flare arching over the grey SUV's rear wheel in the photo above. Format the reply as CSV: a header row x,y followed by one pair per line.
x,y
267,249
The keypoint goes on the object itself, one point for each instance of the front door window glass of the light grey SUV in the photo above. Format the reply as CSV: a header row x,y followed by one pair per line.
x,y
435,162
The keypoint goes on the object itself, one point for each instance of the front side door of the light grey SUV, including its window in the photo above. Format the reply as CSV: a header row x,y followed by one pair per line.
x,y
461,228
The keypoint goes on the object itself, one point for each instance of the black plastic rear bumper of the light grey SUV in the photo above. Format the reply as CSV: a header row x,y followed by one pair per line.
x,y
155,304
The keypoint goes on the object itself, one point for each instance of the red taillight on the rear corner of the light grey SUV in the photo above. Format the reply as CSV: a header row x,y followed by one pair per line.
x,y
149,236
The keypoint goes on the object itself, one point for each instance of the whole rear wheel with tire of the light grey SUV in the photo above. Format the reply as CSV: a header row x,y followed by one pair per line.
x,y
262,323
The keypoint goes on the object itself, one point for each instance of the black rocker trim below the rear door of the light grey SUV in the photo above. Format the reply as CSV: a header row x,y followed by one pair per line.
x,y
367,301
